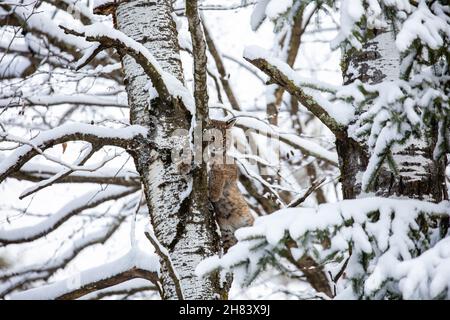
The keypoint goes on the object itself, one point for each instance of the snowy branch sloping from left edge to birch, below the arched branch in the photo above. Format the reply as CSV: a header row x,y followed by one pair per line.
x,y
89,200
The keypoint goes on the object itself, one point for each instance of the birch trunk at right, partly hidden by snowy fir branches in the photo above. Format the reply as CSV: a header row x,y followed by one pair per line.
x,y
419,175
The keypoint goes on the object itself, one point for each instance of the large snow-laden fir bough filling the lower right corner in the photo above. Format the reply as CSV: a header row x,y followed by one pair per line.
x,y
376,233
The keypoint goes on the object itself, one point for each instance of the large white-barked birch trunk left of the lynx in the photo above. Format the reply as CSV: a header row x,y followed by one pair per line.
x,y
182,219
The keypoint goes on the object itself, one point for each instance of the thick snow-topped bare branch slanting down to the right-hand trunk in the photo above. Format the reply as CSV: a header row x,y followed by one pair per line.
x,y
285,76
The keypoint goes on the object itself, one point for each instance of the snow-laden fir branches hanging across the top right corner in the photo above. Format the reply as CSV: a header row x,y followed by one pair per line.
x,y
425,21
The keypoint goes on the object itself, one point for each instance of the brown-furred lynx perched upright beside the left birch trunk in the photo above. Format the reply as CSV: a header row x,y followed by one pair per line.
x,y
232,211
